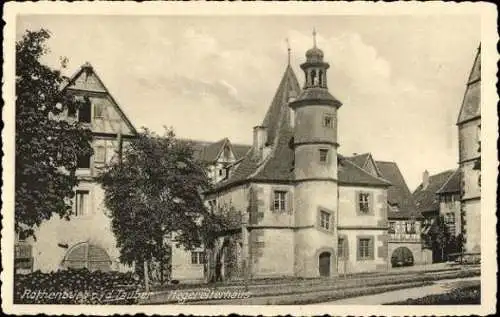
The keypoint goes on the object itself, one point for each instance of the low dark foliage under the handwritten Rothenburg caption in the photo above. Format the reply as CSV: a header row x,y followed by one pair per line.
x,y
77,287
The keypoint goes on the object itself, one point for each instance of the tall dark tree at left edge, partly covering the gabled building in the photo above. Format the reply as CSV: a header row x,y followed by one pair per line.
x,y
46,148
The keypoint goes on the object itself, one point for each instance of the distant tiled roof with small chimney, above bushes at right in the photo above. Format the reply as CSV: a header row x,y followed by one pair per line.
x,y
426,199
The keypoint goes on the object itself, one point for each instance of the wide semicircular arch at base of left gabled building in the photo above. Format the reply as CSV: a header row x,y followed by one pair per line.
x,y
86,255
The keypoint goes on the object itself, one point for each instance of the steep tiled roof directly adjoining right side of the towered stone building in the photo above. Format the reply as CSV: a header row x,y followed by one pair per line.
x,y
398,194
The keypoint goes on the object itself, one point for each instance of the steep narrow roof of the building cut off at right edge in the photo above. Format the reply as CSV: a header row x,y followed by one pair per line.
x,y
471,104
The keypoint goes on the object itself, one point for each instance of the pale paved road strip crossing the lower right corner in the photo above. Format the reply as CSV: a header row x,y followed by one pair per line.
x,y
439,287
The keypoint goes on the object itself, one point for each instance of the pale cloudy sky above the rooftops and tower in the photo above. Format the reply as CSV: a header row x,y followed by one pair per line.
x,y
401,79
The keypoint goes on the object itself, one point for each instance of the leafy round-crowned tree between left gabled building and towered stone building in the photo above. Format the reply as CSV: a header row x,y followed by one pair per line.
x,y
155,192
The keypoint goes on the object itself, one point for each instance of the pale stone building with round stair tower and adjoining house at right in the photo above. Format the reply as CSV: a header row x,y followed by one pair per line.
x,y
308,211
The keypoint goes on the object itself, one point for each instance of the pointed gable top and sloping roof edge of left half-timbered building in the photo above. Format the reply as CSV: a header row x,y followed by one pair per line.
x,y
86,80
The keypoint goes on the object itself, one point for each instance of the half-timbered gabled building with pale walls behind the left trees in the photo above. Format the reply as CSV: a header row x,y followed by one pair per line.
x,y
86,240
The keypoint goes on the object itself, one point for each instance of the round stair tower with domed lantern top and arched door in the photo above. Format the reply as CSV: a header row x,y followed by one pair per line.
x,y
315,168
